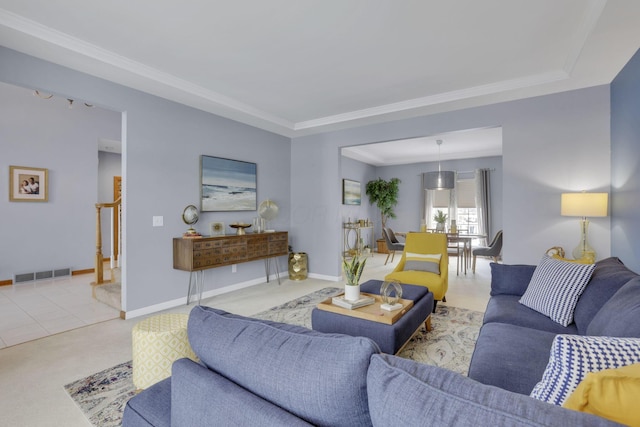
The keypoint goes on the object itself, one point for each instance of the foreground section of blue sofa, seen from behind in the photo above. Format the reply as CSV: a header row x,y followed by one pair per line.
x,y
260,373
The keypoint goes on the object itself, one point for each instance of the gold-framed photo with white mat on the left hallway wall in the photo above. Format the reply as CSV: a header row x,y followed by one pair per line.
x,y
27,184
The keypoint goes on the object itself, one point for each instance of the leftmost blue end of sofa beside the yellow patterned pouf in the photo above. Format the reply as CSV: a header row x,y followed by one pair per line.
x,y
152,407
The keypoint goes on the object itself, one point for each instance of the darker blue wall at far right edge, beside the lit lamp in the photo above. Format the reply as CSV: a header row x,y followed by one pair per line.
x,y
625,158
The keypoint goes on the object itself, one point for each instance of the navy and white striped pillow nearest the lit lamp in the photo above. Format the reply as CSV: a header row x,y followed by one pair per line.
x,y
555,288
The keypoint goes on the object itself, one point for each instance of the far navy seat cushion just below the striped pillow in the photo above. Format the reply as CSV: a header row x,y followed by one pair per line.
x,y
507,309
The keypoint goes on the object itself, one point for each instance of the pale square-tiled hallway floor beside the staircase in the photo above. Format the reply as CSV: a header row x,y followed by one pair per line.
x,y
36,309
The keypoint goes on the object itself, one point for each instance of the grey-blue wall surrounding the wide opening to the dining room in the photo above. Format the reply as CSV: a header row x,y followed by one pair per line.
x,y
551,144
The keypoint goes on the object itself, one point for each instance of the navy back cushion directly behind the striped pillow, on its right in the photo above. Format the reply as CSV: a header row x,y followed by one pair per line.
x,y
609,275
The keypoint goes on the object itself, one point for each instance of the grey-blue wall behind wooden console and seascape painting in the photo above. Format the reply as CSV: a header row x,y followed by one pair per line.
x,y
160,168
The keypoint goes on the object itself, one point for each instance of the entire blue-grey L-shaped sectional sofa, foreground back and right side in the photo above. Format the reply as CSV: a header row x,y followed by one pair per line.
x,y
260,373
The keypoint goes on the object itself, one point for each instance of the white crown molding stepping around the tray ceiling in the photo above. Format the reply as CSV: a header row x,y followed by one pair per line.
x,y
129,73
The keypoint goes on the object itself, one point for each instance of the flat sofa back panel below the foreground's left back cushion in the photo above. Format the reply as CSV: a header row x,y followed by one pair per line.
x,y
201,398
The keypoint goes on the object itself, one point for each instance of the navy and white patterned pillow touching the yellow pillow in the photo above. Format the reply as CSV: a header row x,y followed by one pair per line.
x,y
574,356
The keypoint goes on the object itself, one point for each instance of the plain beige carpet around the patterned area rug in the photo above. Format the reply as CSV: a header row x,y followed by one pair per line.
x,y
32,374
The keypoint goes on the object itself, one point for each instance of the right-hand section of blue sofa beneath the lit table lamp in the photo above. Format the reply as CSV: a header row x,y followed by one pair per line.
x,y
521,338
